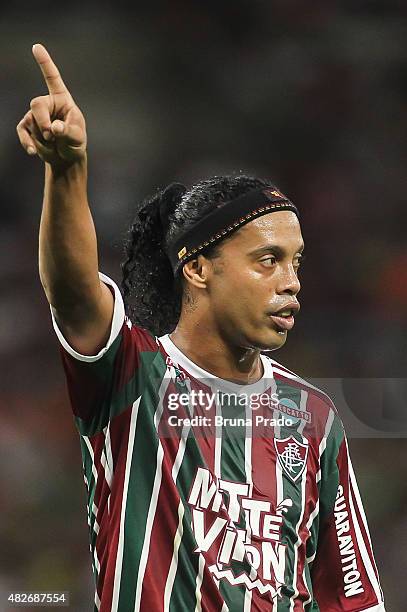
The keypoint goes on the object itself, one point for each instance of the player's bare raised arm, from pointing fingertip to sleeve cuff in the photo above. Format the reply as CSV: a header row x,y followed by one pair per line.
x,y
54,129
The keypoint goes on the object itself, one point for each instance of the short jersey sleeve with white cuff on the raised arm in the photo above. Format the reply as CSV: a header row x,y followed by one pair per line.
x,y
103,385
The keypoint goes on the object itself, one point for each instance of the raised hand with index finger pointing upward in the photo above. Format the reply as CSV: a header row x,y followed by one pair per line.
x,y
54,128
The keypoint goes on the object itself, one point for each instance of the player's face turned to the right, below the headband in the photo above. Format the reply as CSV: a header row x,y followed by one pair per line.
x,y
256,276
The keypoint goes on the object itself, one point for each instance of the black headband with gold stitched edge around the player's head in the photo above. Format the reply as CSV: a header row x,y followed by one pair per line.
x,y
224,219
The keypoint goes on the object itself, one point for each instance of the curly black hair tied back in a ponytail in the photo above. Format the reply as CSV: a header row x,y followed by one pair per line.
x,y
152,296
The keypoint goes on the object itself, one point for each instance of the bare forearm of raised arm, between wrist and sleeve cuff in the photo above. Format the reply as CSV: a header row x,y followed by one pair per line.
x,y
68,261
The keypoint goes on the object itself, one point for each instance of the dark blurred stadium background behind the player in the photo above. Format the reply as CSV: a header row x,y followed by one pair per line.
x,y
313,95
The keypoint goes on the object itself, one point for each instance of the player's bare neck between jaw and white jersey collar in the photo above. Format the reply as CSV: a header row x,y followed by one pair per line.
x,y
198,339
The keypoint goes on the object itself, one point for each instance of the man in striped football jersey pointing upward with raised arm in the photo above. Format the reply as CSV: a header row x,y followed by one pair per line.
x,y
217,479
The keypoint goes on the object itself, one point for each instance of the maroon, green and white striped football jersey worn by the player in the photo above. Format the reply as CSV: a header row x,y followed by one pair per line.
x,y
206,495
